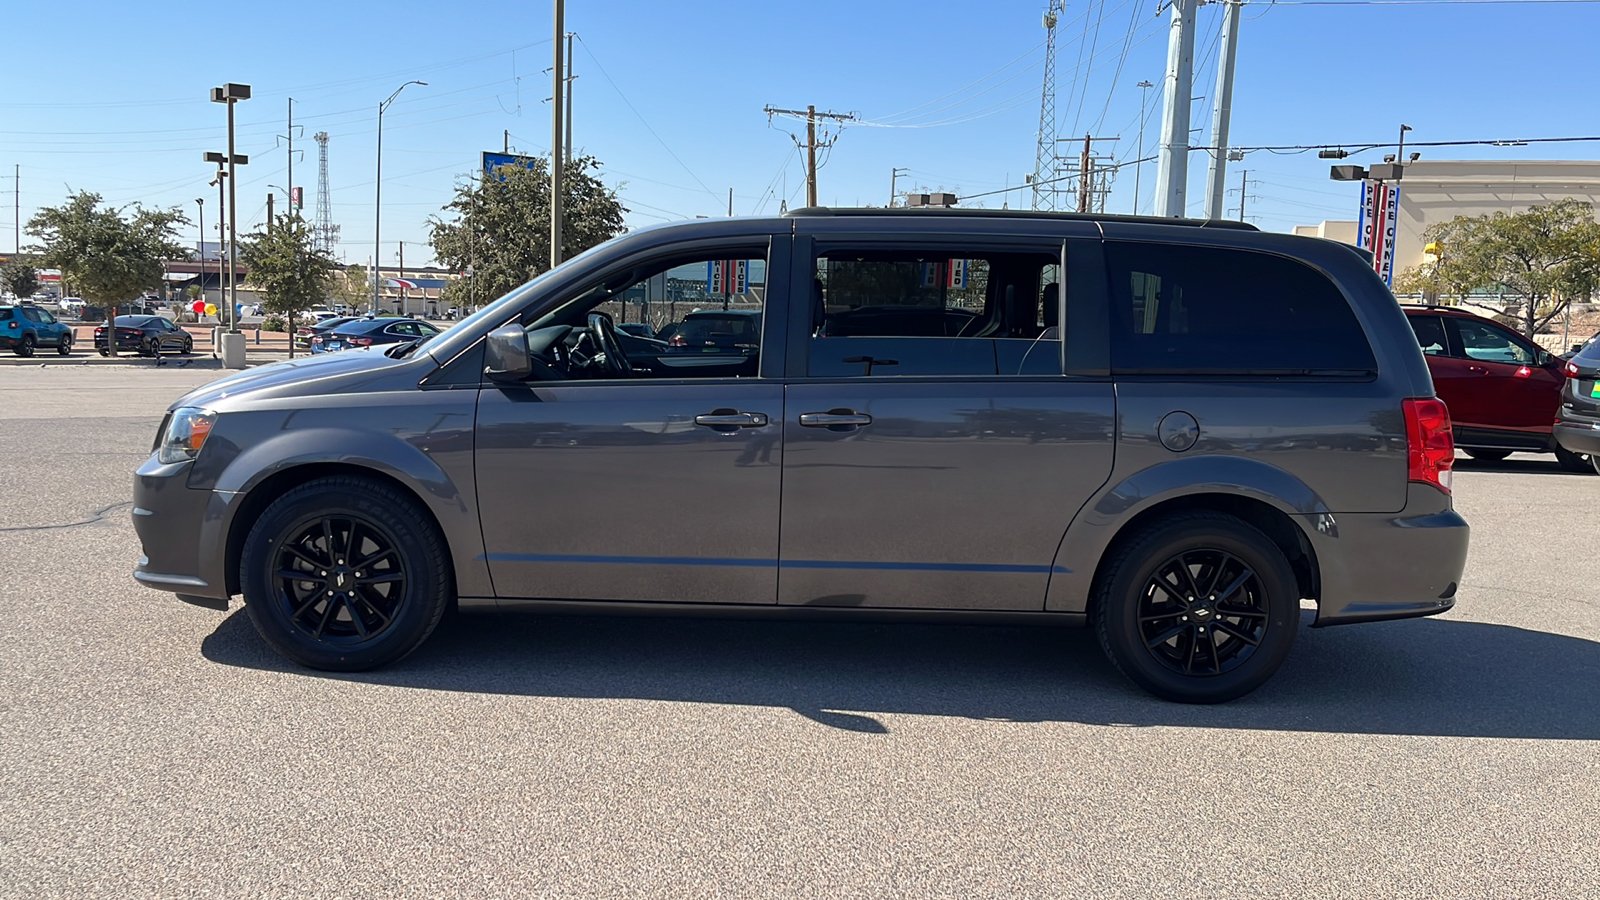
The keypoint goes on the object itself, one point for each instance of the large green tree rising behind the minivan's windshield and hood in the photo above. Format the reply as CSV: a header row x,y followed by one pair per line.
x,y
502,227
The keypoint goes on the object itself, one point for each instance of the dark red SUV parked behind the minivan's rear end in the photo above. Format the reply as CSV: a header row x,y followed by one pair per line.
x,y
1502,390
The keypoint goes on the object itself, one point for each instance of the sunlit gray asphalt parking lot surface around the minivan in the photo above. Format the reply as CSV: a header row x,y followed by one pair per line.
x,y
156,749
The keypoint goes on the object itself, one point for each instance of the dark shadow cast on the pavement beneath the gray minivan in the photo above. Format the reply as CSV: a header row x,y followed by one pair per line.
x,y
1406,678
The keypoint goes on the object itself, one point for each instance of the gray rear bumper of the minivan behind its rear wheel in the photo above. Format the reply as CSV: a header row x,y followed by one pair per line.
x,y
1390,566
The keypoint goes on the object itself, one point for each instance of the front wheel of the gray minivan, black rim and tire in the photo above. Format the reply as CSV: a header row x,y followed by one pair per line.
x,y
366,611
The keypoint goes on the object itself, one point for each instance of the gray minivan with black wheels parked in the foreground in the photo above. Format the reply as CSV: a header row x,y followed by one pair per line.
x,y
1170,432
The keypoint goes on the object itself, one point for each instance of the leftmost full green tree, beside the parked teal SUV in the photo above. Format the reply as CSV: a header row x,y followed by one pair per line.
x,y
110,257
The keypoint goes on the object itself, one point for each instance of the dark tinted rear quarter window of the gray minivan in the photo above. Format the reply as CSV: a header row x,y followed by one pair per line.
x,y
1207,310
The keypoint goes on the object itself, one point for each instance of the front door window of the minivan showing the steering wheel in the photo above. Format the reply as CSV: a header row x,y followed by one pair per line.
x,y
697,316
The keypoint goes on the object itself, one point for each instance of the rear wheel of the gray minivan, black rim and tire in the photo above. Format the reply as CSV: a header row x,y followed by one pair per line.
x,y
1132,614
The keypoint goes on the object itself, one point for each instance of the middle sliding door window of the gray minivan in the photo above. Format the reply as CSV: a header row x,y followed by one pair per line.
x,y
930,311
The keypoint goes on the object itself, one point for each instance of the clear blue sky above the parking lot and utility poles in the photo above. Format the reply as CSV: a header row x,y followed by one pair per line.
x,y
113,98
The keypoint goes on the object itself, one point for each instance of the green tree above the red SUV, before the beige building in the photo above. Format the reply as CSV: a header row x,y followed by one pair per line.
x,y
1548,257
